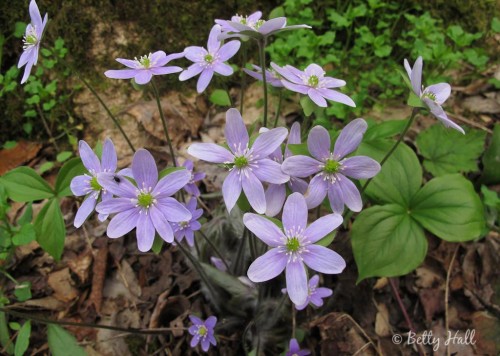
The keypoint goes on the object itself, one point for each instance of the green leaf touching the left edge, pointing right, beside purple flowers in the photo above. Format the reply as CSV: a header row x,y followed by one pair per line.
x,y
23,184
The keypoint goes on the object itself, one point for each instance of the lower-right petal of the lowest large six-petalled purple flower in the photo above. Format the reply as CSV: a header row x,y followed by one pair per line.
x,y
323,259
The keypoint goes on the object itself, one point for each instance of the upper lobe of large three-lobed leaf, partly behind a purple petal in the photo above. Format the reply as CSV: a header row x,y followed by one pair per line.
x,y
400,177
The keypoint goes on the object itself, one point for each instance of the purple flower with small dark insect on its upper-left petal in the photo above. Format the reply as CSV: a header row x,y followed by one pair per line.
x,y
148,206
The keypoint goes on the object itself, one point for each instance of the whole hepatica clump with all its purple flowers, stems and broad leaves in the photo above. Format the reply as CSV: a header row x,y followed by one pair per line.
x,y
295,187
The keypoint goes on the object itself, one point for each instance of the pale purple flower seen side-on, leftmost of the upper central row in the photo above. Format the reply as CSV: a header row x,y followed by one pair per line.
x,y
143,69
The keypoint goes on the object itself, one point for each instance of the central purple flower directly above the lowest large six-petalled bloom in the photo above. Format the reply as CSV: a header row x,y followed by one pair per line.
x,y
248,166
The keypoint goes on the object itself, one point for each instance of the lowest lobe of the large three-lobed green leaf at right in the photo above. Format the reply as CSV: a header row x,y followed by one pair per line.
x,y
387,242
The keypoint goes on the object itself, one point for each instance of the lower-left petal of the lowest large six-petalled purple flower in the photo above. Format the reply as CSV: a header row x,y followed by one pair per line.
x,y
267,266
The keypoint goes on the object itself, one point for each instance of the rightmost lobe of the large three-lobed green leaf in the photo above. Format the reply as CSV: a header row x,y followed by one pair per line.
x,y
449,207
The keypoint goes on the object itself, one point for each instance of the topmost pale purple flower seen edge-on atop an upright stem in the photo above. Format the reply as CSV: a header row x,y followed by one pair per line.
x,y
253,26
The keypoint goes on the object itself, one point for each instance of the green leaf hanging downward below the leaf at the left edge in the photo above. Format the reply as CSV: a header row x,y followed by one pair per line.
x,y
50,229
